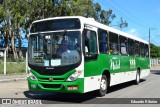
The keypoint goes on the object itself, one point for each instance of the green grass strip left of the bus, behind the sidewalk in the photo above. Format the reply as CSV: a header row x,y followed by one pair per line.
x,y
13,68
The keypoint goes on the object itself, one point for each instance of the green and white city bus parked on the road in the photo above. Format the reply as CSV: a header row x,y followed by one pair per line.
x,y
74,54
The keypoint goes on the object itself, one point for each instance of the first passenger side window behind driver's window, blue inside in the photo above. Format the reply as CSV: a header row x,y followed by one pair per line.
x,y
103,41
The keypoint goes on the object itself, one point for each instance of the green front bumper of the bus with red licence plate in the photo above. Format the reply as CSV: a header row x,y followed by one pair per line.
x,y
57,86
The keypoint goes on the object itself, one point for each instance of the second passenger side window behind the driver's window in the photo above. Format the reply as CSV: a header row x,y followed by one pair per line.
x,y
113,43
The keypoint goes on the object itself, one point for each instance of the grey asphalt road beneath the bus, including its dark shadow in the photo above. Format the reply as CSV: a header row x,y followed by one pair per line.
x,y
148,88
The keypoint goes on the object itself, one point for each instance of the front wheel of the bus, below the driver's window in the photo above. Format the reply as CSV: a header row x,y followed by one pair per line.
x,y
103,86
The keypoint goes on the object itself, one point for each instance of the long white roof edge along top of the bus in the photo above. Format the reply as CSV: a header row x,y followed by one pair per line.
x,y
92,22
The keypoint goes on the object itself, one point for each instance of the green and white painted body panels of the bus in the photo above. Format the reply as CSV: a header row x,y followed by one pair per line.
x,y
121,68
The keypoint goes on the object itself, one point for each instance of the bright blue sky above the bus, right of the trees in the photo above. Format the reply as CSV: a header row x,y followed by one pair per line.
x,y
141,16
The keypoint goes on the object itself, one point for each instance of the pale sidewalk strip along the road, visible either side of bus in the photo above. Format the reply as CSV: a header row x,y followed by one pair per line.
x,y
6,78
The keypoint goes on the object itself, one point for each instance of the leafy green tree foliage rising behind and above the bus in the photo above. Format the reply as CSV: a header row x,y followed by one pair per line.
x,y
16,14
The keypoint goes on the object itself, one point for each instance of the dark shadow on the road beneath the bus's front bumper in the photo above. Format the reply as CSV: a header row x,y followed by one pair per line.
x,y
52,98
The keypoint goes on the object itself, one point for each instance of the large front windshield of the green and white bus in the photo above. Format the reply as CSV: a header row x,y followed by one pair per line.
x,y
54,49
